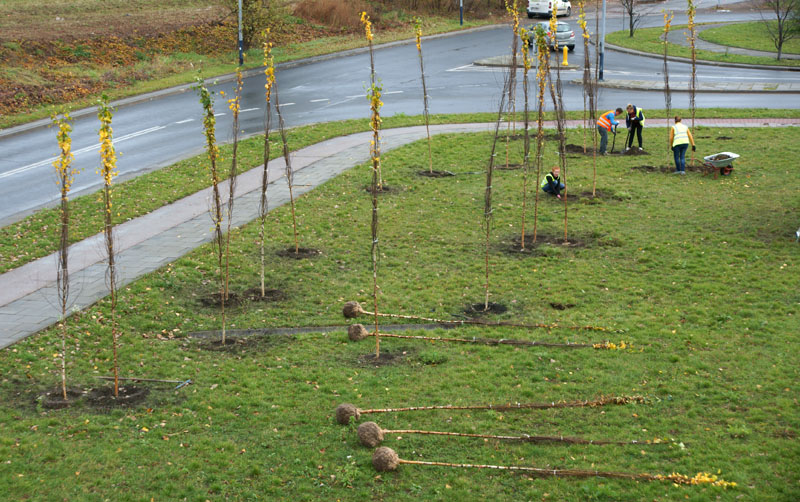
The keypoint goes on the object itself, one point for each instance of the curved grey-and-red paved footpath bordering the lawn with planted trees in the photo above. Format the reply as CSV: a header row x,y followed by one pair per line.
x,y
28,294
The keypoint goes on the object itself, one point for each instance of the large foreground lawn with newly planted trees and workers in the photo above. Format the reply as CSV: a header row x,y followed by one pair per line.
x,y
701,275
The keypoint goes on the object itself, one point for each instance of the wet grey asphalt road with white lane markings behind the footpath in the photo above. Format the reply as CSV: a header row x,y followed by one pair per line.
x,y
151,134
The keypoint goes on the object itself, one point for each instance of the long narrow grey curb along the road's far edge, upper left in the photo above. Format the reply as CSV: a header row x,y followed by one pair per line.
x,y
228,77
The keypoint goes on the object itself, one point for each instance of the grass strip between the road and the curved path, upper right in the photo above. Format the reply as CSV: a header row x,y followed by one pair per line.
x,y
648,40
